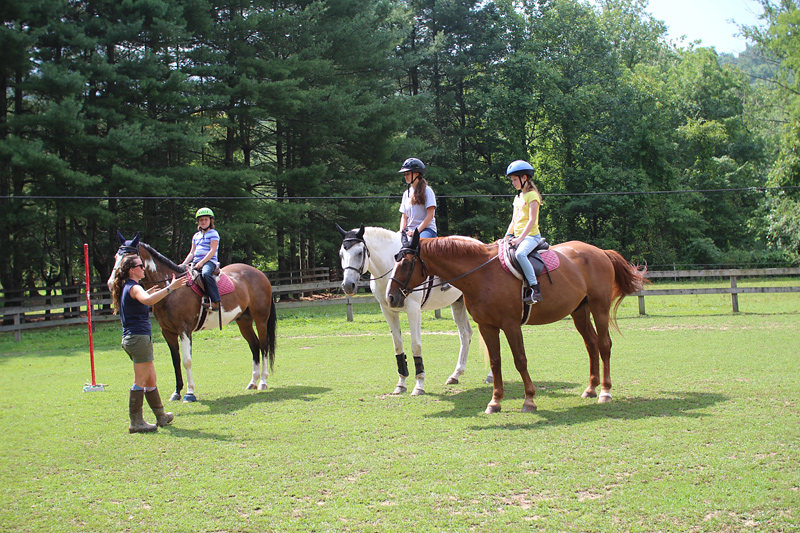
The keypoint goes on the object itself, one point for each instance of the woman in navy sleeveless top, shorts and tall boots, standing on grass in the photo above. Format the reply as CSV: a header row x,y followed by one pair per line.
x,y
133,303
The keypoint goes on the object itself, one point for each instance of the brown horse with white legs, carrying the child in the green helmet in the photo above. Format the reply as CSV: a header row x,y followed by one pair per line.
x,y
180,313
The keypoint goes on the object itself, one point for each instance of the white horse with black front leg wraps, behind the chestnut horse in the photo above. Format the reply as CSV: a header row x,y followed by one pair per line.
x,y
373,250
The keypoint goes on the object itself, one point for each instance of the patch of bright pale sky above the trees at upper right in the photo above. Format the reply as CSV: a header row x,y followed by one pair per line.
x,y
707,20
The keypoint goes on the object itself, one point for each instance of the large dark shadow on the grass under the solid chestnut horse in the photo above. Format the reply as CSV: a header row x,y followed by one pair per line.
x,y
471,402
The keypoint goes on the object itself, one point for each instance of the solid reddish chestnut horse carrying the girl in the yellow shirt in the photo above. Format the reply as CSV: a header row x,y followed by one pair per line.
x,y
589,281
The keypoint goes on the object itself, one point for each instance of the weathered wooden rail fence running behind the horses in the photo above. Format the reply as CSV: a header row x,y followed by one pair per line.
x,y
67,305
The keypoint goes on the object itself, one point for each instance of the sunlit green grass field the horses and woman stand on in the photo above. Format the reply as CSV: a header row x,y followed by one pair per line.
x,y
703,433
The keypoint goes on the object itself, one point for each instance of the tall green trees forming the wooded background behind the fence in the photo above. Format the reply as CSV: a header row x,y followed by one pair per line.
x,y
286,117
